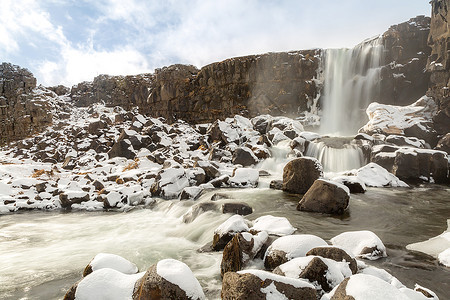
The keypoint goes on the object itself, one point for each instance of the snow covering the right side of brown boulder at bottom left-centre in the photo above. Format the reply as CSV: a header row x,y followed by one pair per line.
x,y
180,274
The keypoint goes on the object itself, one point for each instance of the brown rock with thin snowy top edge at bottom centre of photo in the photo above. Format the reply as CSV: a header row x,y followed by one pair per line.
x,y
256,285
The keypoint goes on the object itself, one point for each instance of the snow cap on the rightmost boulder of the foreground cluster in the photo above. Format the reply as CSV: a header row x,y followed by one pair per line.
x,y
356,241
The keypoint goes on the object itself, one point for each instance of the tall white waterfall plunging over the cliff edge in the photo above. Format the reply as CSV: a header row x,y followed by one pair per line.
x,y
351,82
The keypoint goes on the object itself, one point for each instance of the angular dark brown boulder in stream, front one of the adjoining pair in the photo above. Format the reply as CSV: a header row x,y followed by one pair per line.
x,y
325,197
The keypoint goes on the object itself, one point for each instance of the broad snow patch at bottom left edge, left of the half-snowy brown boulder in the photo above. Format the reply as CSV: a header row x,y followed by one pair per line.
x,y
108,284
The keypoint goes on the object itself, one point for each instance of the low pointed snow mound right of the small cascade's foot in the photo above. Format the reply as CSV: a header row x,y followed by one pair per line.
x,y
374,175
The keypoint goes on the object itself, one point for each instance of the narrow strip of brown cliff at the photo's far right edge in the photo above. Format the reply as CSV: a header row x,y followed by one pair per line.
x,y
439,63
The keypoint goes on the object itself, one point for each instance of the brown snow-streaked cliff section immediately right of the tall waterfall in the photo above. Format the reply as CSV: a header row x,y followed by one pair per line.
x,y
403,79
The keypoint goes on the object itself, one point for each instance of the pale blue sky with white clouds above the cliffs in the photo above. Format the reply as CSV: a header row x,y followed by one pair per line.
x,y
69,41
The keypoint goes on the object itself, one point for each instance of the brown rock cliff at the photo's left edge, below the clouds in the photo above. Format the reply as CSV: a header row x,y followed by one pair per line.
x,y
23,111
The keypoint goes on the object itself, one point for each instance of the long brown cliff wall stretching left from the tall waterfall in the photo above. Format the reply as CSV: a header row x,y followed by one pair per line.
x,y
276,83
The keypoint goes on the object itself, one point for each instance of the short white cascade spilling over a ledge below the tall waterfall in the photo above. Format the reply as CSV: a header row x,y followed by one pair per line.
x,y
336,154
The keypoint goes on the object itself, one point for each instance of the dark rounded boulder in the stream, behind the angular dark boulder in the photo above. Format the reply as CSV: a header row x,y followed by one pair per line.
x,y
299,174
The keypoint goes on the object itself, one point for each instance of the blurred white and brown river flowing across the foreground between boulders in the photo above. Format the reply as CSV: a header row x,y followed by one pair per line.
x,y
43,253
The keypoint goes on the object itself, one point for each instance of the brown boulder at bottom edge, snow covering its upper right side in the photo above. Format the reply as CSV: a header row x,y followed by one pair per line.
x,y
168,279
